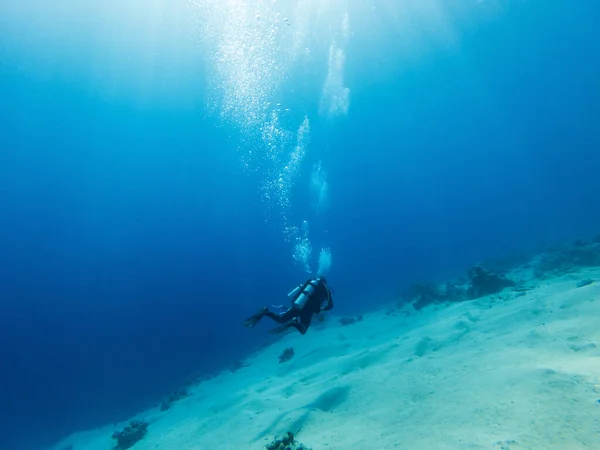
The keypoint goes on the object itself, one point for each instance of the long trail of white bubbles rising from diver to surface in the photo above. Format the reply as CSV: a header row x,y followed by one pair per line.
x,y
250,47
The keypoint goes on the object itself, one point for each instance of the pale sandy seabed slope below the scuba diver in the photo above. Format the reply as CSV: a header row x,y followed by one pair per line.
x,y
500,372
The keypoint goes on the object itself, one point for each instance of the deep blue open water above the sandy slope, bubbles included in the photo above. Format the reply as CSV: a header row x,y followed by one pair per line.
x,y
165,168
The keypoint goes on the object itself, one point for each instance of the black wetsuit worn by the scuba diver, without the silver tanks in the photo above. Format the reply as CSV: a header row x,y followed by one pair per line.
x,y
319,300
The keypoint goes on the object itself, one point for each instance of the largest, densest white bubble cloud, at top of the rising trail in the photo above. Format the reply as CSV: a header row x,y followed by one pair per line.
x,y
241,44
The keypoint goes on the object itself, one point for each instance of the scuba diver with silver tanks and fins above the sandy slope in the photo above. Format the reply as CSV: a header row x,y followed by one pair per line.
x,y
311,297
